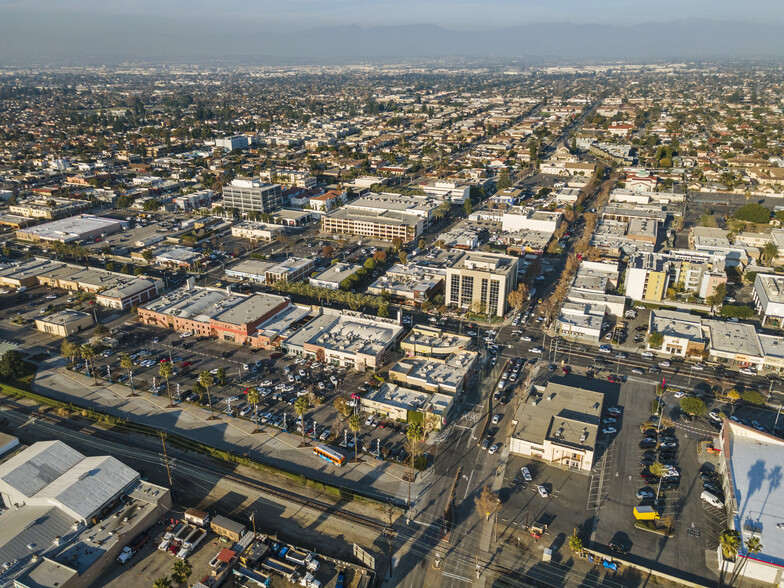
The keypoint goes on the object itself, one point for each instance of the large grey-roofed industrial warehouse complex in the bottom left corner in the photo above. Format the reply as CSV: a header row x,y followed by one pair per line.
x,y
67,517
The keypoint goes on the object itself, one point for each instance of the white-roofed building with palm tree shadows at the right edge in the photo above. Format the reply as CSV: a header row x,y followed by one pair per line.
x,y
750,466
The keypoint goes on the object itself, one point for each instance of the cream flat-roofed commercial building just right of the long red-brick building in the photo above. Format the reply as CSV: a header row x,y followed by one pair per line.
x,y
348,339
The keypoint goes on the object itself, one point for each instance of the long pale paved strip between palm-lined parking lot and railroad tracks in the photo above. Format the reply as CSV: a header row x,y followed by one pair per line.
x,y
372,477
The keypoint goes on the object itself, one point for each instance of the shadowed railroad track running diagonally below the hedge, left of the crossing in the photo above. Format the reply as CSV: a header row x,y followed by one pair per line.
x,y
247,482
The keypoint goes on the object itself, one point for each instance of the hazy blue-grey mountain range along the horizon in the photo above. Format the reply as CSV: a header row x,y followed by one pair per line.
x,y
75,40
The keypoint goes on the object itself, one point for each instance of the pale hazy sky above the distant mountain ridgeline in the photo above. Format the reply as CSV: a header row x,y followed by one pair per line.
x,y
454,14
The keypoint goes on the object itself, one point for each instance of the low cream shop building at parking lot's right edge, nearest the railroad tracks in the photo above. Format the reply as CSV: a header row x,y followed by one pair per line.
x,y
399,403
